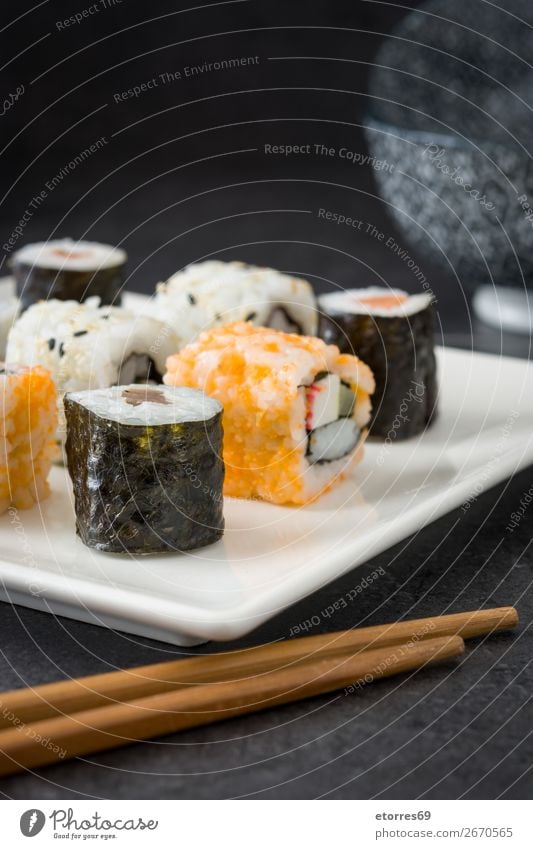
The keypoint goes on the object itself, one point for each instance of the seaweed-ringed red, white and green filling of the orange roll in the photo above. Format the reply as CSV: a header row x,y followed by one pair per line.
x,y
332,433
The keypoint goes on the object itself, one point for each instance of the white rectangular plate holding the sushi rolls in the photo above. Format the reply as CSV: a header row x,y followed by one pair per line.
x,y
272,556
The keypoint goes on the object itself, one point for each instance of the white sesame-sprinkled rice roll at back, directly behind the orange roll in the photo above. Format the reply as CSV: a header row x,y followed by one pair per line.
x,y
207,294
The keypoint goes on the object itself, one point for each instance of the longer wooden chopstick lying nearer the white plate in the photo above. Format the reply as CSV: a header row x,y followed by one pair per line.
x,y
48,700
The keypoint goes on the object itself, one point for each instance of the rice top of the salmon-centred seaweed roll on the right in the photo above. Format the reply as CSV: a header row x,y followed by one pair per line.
x,y
352,301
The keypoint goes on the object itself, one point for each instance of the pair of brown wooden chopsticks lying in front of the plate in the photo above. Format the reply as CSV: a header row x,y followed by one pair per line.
x,y
82,716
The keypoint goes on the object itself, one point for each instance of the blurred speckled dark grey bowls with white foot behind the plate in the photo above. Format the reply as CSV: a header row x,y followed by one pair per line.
x,y
451,107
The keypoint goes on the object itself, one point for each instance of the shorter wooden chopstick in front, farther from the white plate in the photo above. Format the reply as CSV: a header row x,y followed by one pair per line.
x,y
98,729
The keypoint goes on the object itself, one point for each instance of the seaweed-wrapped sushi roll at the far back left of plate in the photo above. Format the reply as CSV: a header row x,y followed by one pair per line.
x,y
68,270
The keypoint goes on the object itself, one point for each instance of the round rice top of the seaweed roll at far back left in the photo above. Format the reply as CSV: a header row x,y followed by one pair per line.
x,y
70,255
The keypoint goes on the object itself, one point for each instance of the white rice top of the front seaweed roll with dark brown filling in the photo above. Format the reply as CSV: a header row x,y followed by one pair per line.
x,y
163,404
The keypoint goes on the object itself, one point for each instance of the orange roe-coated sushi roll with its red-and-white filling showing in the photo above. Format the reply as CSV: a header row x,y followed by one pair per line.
x,y
295,409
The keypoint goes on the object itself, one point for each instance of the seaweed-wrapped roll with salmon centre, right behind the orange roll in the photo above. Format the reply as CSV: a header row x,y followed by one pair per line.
x,y
392,332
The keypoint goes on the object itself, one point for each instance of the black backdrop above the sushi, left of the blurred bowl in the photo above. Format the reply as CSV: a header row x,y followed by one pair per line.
x,y
172,183
